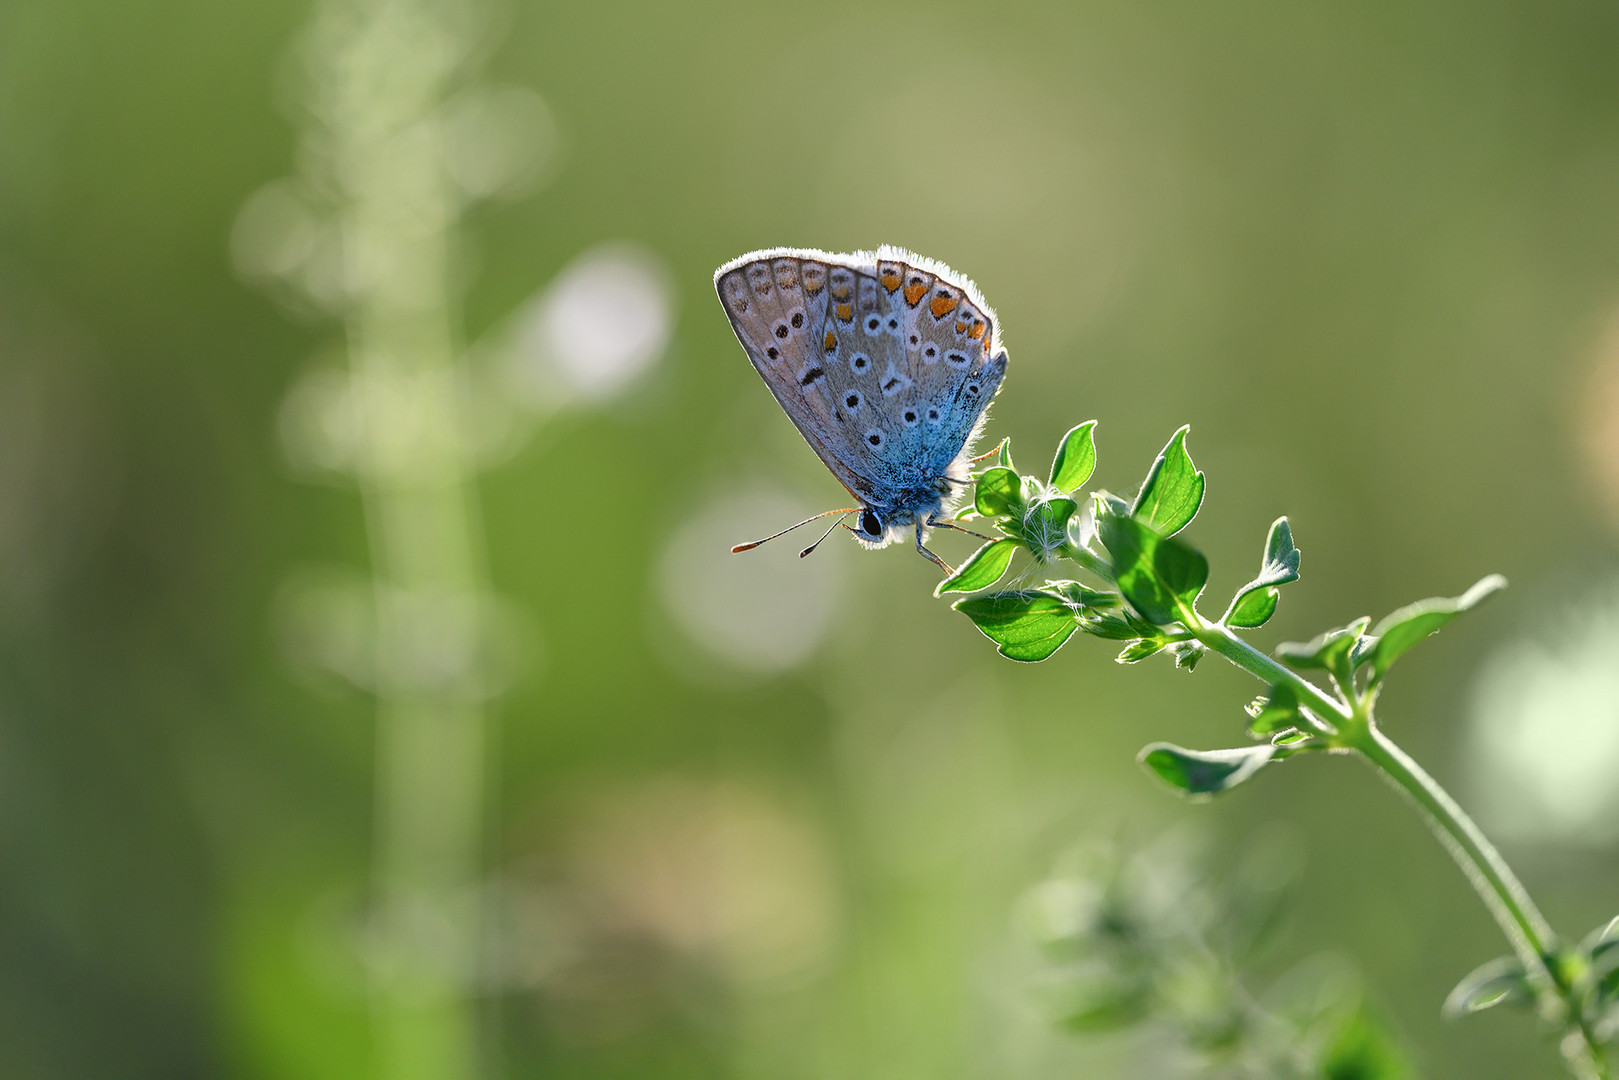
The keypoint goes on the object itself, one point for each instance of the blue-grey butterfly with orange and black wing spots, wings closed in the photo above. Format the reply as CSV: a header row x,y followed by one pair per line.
x,y
886,364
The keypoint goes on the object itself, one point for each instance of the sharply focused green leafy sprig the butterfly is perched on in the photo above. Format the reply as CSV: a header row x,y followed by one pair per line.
x,y
1152,587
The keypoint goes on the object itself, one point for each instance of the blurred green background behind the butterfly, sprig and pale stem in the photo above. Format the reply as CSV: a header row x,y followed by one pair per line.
x,y
760,817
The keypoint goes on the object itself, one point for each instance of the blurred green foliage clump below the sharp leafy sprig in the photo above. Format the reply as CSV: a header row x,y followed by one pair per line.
x,y
1157,946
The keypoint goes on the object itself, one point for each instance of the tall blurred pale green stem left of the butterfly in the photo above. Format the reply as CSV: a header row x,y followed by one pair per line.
x,y
397,219
